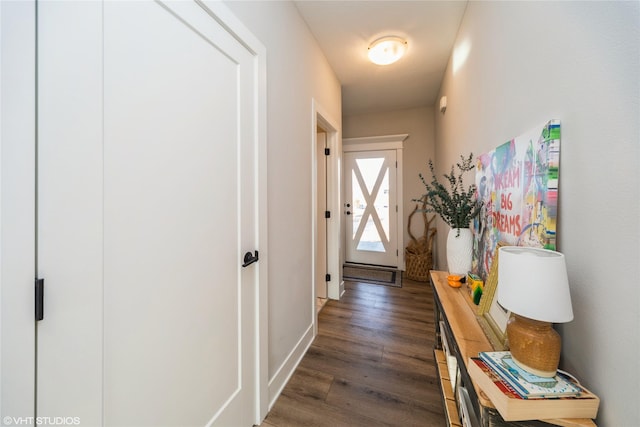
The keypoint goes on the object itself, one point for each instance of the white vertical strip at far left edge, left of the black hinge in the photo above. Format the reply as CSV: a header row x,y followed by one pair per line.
x,y
17,208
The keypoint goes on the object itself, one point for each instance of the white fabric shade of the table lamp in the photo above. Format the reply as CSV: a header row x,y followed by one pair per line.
x,y
533,283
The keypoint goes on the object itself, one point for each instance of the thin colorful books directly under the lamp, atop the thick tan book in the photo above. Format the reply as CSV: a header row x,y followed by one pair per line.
x,y
525,383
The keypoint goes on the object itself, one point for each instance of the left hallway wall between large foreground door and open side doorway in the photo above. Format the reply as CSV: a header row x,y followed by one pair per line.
x,y
297,72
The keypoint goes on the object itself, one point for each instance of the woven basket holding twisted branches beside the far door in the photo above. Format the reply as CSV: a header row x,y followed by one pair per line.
x,y
418,254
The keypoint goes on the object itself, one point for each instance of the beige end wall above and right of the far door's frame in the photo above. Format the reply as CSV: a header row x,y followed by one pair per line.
x,y
418,149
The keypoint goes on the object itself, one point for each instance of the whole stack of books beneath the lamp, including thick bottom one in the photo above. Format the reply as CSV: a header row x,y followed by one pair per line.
x,y
519,395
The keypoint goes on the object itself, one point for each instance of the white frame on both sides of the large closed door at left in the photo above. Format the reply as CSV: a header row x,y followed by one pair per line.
x,y
18,146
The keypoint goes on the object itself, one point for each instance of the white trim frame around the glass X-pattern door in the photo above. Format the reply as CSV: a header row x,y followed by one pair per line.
x,y
377,143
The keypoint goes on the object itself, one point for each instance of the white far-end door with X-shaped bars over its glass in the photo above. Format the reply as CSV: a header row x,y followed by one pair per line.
x,y
371,207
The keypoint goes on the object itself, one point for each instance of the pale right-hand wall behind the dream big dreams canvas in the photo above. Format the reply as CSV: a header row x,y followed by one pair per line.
x,y
578,62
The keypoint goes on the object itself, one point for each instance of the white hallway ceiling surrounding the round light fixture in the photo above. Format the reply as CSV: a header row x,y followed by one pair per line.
x,y
345,29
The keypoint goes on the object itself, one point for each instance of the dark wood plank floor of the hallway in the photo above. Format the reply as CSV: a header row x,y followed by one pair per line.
x,y
370,365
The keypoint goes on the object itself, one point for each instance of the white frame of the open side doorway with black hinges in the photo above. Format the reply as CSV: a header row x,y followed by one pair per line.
x,y
320,118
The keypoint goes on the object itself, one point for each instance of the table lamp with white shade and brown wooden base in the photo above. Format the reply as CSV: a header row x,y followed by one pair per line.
x,y
533,285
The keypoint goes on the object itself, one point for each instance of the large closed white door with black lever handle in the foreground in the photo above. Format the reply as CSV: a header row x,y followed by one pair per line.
x,y
147,202
